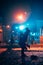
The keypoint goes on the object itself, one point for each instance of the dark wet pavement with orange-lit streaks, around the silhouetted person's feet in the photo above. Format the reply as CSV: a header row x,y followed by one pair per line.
x,y
13,57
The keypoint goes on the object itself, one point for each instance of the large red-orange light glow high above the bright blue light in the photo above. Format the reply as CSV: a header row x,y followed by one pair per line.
x,y
20,17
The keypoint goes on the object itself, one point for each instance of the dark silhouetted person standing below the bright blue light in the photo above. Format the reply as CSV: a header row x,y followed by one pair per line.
x,y
22,43
